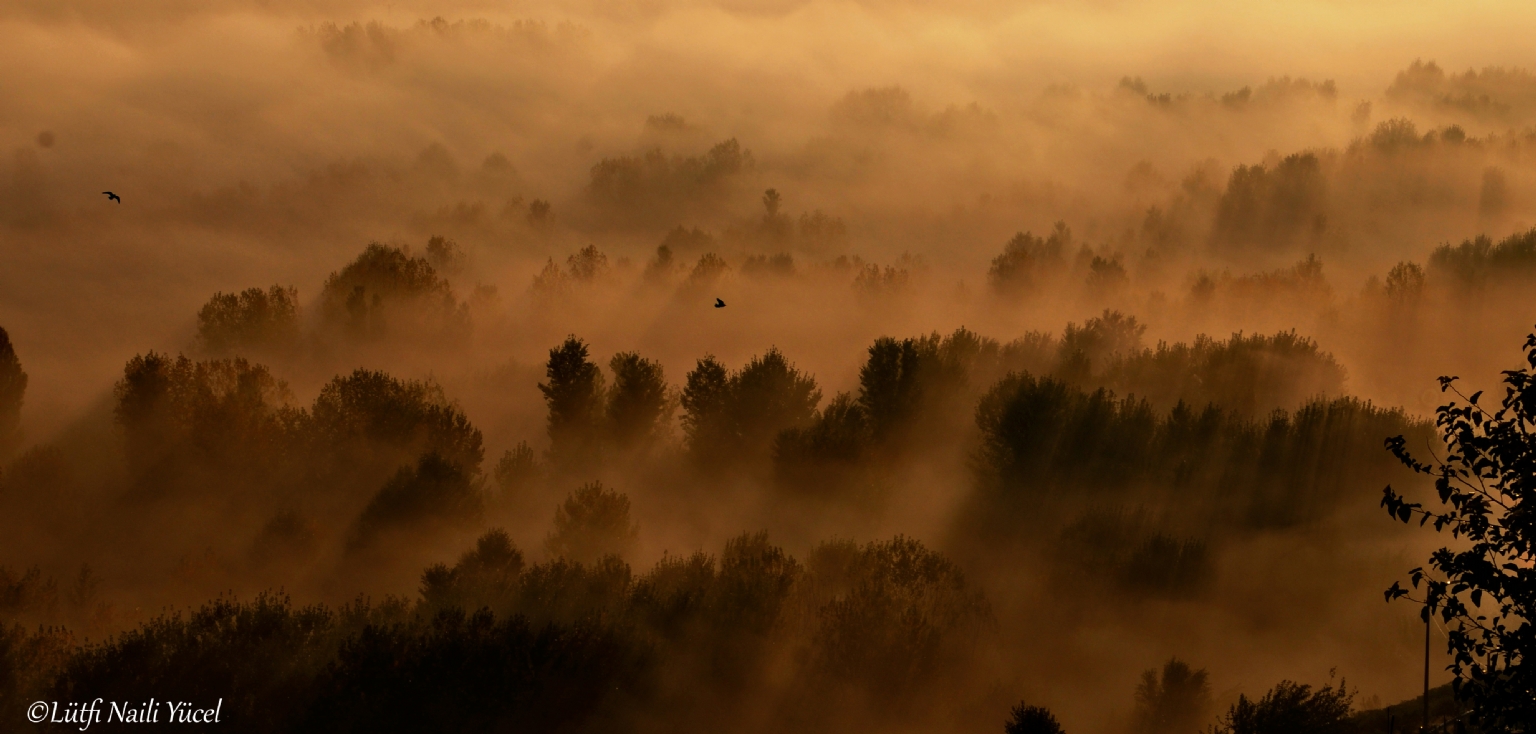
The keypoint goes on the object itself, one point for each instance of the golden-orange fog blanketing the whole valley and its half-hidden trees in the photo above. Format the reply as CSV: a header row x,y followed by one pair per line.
x,y
938,231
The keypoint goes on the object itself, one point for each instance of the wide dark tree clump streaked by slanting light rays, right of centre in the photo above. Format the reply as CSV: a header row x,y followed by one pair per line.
x,y
1042,438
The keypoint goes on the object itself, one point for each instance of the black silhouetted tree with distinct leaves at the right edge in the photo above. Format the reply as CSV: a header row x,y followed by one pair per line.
x,y
1486,589
